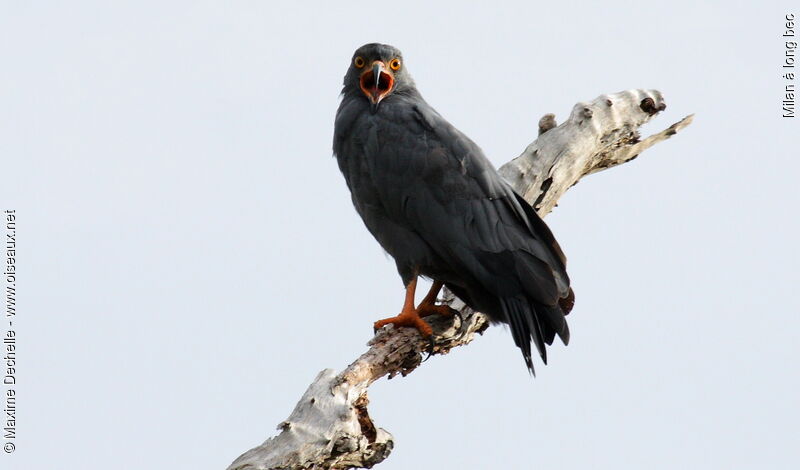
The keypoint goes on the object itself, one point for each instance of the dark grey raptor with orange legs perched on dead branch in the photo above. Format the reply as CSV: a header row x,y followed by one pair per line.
x,y
438,207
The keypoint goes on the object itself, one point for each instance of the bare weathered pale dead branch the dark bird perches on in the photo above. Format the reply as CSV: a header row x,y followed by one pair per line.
x,y
330,427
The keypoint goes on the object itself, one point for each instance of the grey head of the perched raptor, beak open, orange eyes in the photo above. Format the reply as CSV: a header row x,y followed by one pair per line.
x,y
377,71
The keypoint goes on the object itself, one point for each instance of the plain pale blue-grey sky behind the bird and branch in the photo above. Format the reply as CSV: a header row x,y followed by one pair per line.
x,y
187,245
